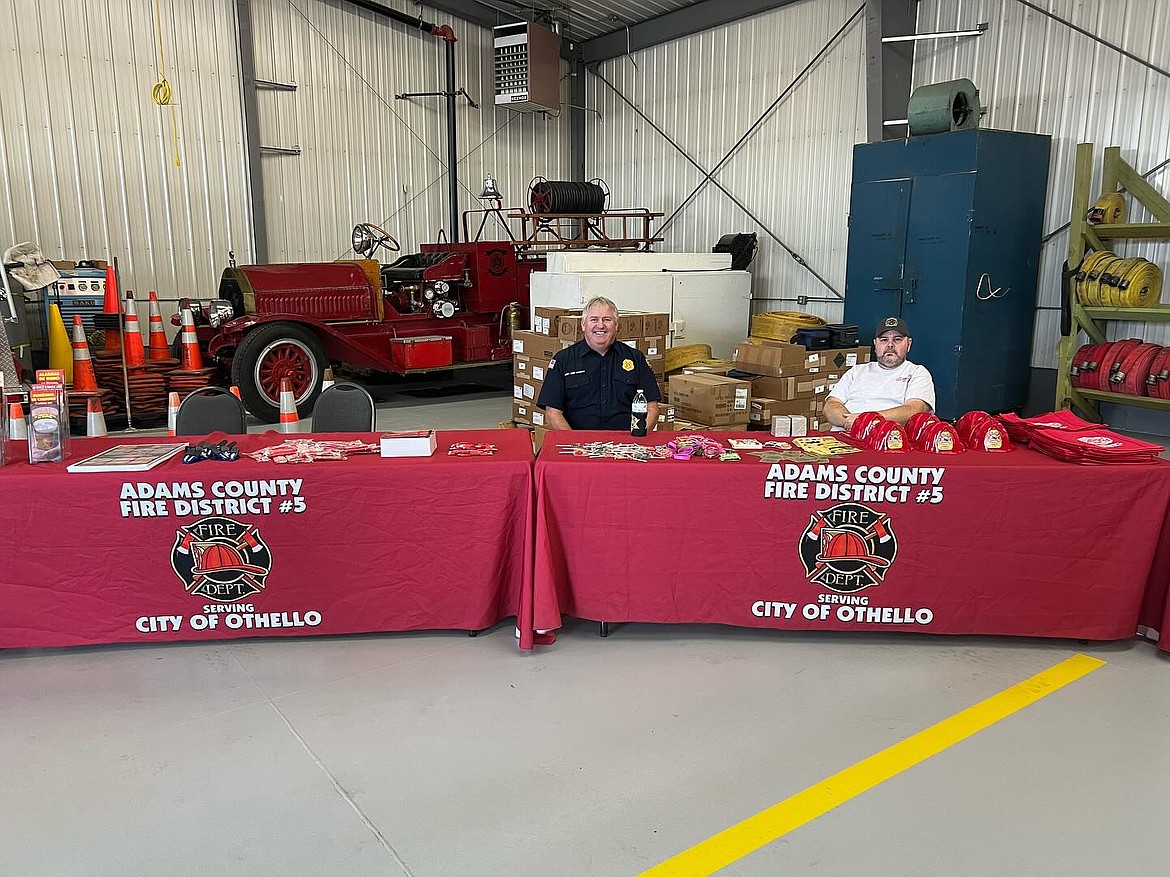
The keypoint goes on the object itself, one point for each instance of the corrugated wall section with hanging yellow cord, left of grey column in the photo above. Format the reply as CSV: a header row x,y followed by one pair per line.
x,y
87,161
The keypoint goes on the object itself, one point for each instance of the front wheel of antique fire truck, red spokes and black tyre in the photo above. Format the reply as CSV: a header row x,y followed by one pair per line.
x,y
272,353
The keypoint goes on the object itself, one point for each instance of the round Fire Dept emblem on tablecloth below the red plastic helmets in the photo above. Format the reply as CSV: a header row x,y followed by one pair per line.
x,y
849,548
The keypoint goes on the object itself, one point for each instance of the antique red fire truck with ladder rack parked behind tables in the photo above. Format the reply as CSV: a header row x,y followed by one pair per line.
x,y
450,306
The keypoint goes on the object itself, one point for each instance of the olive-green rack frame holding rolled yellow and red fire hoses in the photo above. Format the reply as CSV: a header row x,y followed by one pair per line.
x,y
1077,317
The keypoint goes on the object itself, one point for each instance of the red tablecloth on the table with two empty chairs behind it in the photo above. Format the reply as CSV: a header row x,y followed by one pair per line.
x,y
329,548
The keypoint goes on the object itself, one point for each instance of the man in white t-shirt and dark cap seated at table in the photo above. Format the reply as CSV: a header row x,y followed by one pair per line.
x,y
891,385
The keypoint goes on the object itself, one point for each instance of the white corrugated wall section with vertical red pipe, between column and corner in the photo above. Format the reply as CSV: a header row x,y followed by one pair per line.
x,y
368,157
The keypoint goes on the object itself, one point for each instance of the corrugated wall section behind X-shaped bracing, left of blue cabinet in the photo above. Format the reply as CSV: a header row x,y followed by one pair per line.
x,y
706,92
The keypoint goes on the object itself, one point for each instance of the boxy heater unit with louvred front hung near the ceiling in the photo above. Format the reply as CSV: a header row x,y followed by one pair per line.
x,y
528,68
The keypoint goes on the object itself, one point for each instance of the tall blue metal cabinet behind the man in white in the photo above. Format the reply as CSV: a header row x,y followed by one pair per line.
x,y
945,231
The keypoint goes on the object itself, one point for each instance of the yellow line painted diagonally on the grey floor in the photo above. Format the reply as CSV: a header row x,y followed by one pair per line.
x,y
767,826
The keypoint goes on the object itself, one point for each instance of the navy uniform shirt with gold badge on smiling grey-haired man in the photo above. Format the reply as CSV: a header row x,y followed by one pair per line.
x,y
596,392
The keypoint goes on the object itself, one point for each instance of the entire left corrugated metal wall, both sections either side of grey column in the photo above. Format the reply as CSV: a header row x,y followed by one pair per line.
x,y
87,163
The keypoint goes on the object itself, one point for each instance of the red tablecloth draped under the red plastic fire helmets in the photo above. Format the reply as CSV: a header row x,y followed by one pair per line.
x,y
1011,544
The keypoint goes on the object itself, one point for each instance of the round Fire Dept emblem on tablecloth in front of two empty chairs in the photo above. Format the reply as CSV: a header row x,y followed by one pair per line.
x,y
222,560
